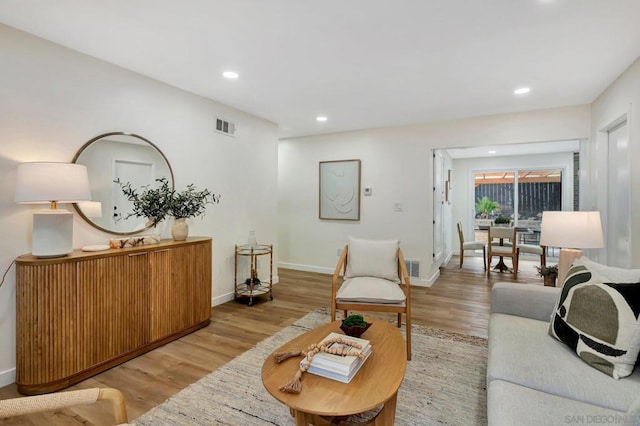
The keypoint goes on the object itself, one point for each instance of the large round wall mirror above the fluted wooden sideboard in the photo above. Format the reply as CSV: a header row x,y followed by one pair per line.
x,y
121,156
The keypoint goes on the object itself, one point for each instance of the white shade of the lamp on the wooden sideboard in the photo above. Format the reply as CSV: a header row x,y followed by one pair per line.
x,y
44,182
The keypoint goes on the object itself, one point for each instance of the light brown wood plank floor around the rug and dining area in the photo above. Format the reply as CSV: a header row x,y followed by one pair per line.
x,y
458,301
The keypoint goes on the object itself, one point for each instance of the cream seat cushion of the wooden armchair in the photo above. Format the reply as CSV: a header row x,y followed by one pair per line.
x,y
370,290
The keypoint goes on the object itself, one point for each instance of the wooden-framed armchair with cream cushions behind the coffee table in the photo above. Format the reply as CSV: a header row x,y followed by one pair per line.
x,y
375,279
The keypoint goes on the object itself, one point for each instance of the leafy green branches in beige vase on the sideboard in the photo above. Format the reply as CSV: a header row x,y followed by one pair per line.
x,y
186,204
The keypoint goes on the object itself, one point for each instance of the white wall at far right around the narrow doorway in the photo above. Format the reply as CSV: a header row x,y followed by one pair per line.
x,y
621,97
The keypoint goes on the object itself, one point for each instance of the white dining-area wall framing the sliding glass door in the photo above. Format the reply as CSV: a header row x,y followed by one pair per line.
x,y
463,189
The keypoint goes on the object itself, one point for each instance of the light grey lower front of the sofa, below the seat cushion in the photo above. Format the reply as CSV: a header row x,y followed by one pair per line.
x,y
509,404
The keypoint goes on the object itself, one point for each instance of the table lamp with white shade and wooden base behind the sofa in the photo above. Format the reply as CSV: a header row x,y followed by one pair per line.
x,y
571,231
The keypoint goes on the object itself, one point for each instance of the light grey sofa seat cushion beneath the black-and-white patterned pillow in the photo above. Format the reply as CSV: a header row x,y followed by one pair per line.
x,y
522,352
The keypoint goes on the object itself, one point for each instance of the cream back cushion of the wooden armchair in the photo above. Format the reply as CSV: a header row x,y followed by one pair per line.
x,y
373,258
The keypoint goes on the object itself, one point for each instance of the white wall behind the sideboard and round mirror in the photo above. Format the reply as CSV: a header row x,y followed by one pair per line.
x,y
53,100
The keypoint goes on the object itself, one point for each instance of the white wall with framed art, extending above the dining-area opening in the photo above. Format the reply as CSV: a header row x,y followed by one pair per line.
x,y
396,163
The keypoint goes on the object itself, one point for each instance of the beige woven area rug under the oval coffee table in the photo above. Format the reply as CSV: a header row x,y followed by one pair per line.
x,y
444,384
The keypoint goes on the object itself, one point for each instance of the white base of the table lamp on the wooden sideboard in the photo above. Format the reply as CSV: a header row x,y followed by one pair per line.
x,y
52,233
